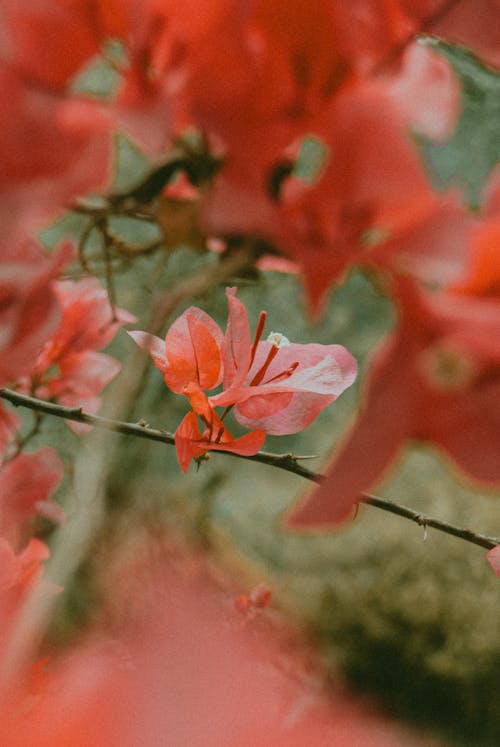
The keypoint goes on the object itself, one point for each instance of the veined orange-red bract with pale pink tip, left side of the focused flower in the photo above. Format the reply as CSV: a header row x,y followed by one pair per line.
x,y
191,353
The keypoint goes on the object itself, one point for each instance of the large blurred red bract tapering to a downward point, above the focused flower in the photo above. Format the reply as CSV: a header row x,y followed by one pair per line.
x,y
374,188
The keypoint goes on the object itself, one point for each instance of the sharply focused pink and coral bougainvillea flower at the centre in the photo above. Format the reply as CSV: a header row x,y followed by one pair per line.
x,y
274,387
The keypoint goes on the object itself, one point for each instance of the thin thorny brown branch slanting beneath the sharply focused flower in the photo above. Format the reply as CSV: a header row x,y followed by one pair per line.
x,y
287,462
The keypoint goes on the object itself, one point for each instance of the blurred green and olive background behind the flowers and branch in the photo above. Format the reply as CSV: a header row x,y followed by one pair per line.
x,y
409,618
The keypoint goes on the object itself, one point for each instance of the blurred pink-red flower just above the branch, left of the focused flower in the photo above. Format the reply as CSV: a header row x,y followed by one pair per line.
x,y
87,325
